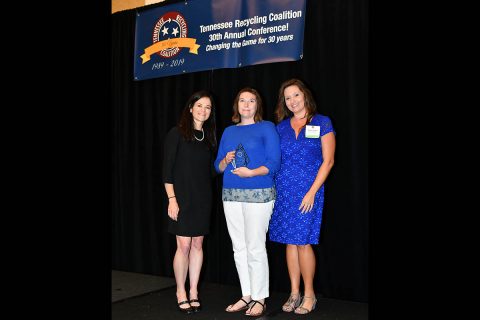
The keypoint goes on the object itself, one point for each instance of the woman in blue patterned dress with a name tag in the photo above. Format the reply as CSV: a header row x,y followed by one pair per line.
x,y
307,143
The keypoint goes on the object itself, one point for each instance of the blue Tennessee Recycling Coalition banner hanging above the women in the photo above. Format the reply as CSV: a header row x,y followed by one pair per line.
x,y
202,35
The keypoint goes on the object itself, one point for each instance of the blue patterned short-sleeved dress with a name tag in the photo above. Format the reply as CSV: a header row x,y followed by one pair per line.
x,y
301,159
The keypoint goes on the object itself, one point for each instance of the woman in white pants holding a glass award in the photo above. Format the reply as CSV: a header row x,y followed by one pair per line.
x,y
250,152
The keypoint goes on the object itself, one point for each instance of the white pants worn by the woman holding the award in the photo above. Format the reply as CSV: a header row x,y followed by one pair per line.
x,y
247,225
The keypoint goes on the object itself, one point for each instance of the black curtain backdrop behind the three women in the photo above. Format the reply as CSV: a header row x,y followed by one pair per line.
x,y
334,65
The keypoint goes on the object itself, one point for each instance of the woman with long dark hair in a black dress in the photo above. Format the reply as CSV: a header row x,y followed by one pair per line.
x,y
187,175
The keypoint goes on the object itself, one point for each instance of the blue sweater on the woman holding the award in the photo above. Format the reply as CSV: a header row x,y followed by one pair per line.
x,y
262,146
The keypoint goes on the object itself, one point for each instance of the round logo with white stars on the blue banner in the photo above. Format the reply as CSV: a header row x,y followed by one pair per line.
x,y
171,25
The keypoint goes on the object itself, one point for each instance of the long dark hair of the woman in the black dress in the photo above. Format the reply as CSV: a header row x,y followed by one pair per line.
x,y
185,124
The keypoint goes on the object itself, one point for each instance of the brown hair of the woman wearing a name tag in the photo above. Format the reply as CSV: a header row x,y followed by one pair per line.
x,y
281,112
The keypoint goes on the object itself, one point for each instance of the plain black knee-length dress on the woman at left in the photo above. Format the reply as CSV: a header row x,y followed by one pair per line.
x,y
188,165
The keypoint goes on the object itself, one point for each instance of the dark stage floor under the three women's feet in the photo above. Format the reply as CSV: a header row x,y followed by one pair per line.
x,y
138,296
